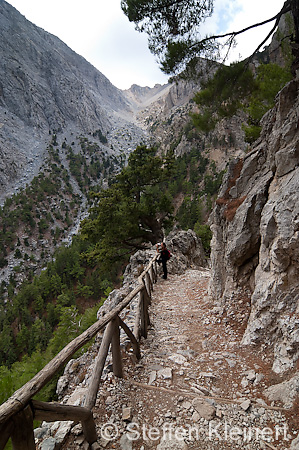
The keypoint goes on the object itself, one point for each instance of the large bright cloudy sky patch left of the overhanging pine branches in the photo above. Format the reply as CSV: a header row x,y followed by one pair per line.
x,y
99,31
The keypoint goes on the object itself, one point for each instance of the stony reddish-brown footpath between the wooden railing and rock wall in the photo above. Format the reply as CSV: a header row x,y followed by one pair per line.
x,y
195,387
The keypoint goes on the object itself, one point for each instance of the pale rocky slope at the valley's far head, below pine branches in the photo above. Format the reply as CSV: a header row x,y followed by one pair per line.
x,y
165,113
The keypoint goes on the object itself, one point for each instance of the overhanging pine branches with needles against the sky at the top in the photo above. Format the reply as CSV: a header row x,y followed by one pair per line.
x,y
174,31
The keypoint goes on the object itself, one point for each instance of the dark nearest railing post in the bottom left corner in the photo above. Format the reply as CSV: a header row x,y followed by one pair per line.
x,y
22,436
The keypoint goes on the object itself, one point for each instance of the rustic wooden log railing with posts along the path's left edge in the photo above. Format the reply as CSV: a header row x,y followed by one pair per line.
x,y
19,411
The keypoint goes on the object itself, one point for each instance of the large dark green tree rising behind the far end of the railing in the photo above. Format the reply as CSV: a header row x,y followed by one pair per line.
x,y
131,211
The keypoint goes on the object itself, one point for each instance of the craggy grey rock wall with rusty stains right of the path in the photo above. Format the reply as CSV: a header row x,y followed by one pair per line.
x,y
255,223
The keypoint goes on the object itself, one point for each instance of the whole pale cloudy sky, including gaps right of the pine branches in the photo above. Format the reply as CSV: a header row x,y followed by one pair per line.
x,y
99,31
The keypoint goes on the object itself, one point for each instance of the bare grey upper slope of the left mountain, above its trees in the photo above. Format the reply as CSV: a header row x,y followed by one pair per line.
x,y
45,87
